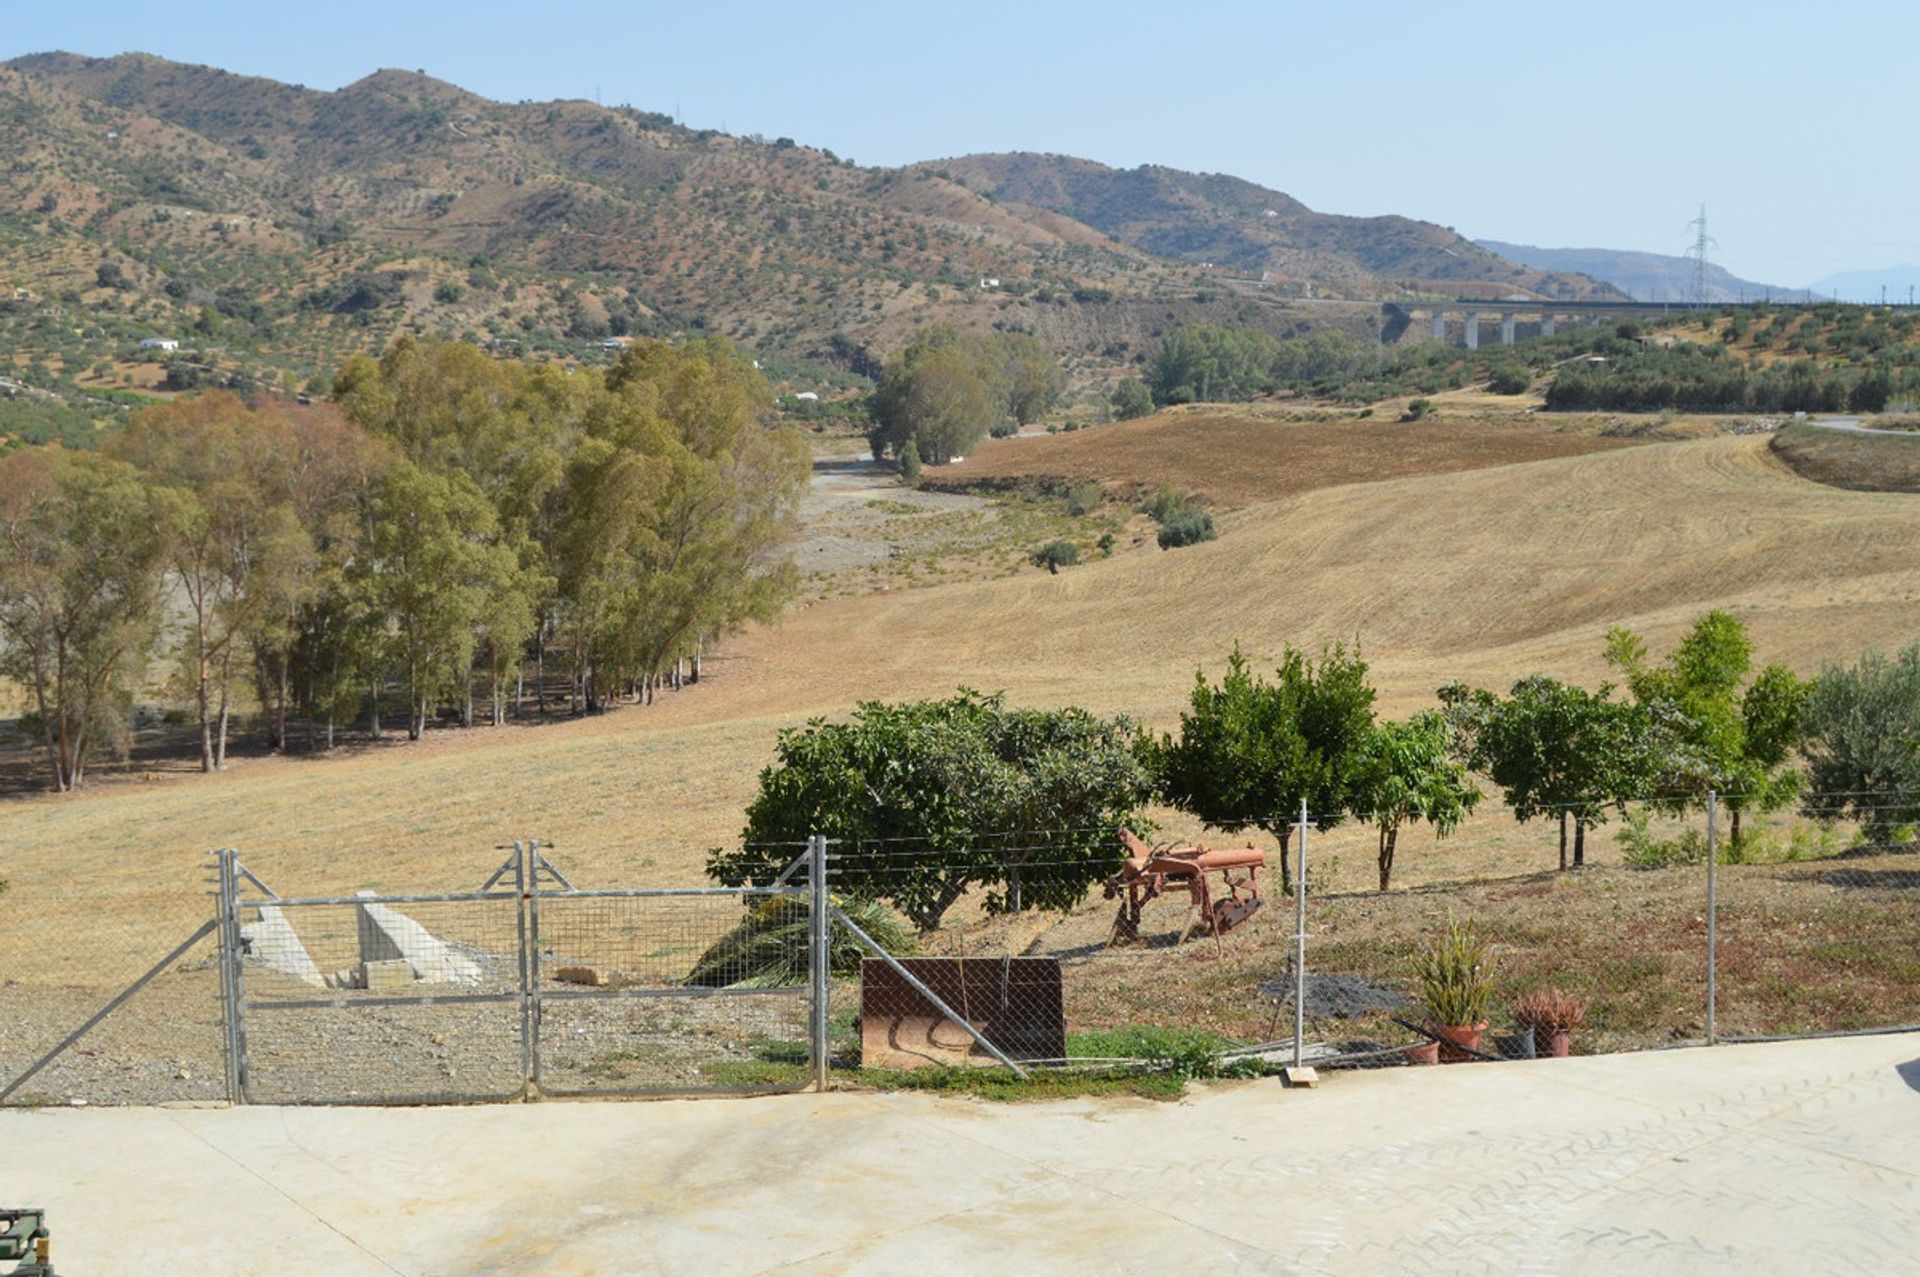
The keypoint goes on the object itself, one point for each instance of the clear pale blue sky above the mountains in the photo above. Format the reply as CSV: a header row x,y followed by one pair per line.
x,y
1531,122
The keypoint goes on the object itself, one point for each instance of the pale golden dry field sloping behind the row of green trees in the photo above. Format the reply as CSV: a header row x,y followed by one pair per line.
x,y
1479,573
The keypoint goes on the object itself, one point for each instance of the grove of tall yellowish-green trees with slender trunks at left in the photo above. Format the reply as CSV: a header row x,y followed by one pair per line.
x,y
444,521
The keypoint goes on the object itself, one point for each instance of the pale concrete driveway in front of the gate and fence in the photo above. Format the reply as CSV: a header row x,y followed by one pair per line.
x,y
1796,1157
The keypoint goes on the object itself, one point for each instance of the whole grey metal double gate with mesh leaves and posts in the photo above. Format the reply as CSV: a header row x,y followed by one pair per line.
x,y
523,988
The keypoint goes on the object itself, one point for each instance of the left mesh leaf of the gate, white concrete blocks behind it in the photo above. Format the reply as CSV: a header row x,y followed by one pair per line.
x,y
383,1000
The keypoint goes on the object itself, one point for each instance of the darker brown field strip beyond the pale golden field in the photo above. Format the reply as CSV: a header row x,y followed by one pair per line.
x,y
1237,460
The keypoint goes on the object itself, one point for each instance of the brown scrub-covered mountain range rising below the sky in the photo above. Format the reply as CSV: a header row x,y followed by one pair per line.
x,y
293,226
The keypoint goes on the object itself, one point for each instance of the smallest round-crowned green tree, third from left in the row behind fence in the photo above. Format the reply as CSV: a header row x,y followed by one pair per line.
x,y
1406,775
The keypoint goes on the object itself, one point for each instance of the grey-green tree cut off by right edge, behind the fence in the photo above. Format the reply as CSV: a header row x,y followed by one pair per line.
x,y
1863,744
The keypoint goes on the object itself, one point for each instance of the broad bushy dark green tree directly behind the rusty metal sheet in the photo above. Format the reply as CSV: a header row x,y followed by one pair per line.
x,y
930,800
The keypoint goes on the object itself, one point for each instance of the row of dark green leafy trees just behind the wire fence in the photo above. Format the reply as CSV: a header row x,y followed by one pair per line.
x,y
934,798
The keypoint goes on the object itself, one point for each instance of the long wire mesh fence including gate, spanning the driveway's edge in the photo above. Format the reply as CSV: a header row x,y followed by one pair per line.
x,y
907,963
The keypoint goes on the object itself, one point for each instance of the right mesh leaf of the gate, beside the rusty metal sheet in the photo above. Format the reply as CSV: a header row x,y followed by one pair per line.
x,y
660,992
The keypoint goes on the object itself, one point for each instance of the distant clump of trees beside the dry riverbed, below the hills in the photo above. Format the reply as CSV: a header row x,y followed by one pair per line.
x,y
949,391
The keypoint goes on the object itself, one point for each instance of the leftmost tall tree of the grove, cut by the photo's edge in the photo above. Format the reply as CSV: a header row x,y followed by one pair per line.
x,y
82,567
